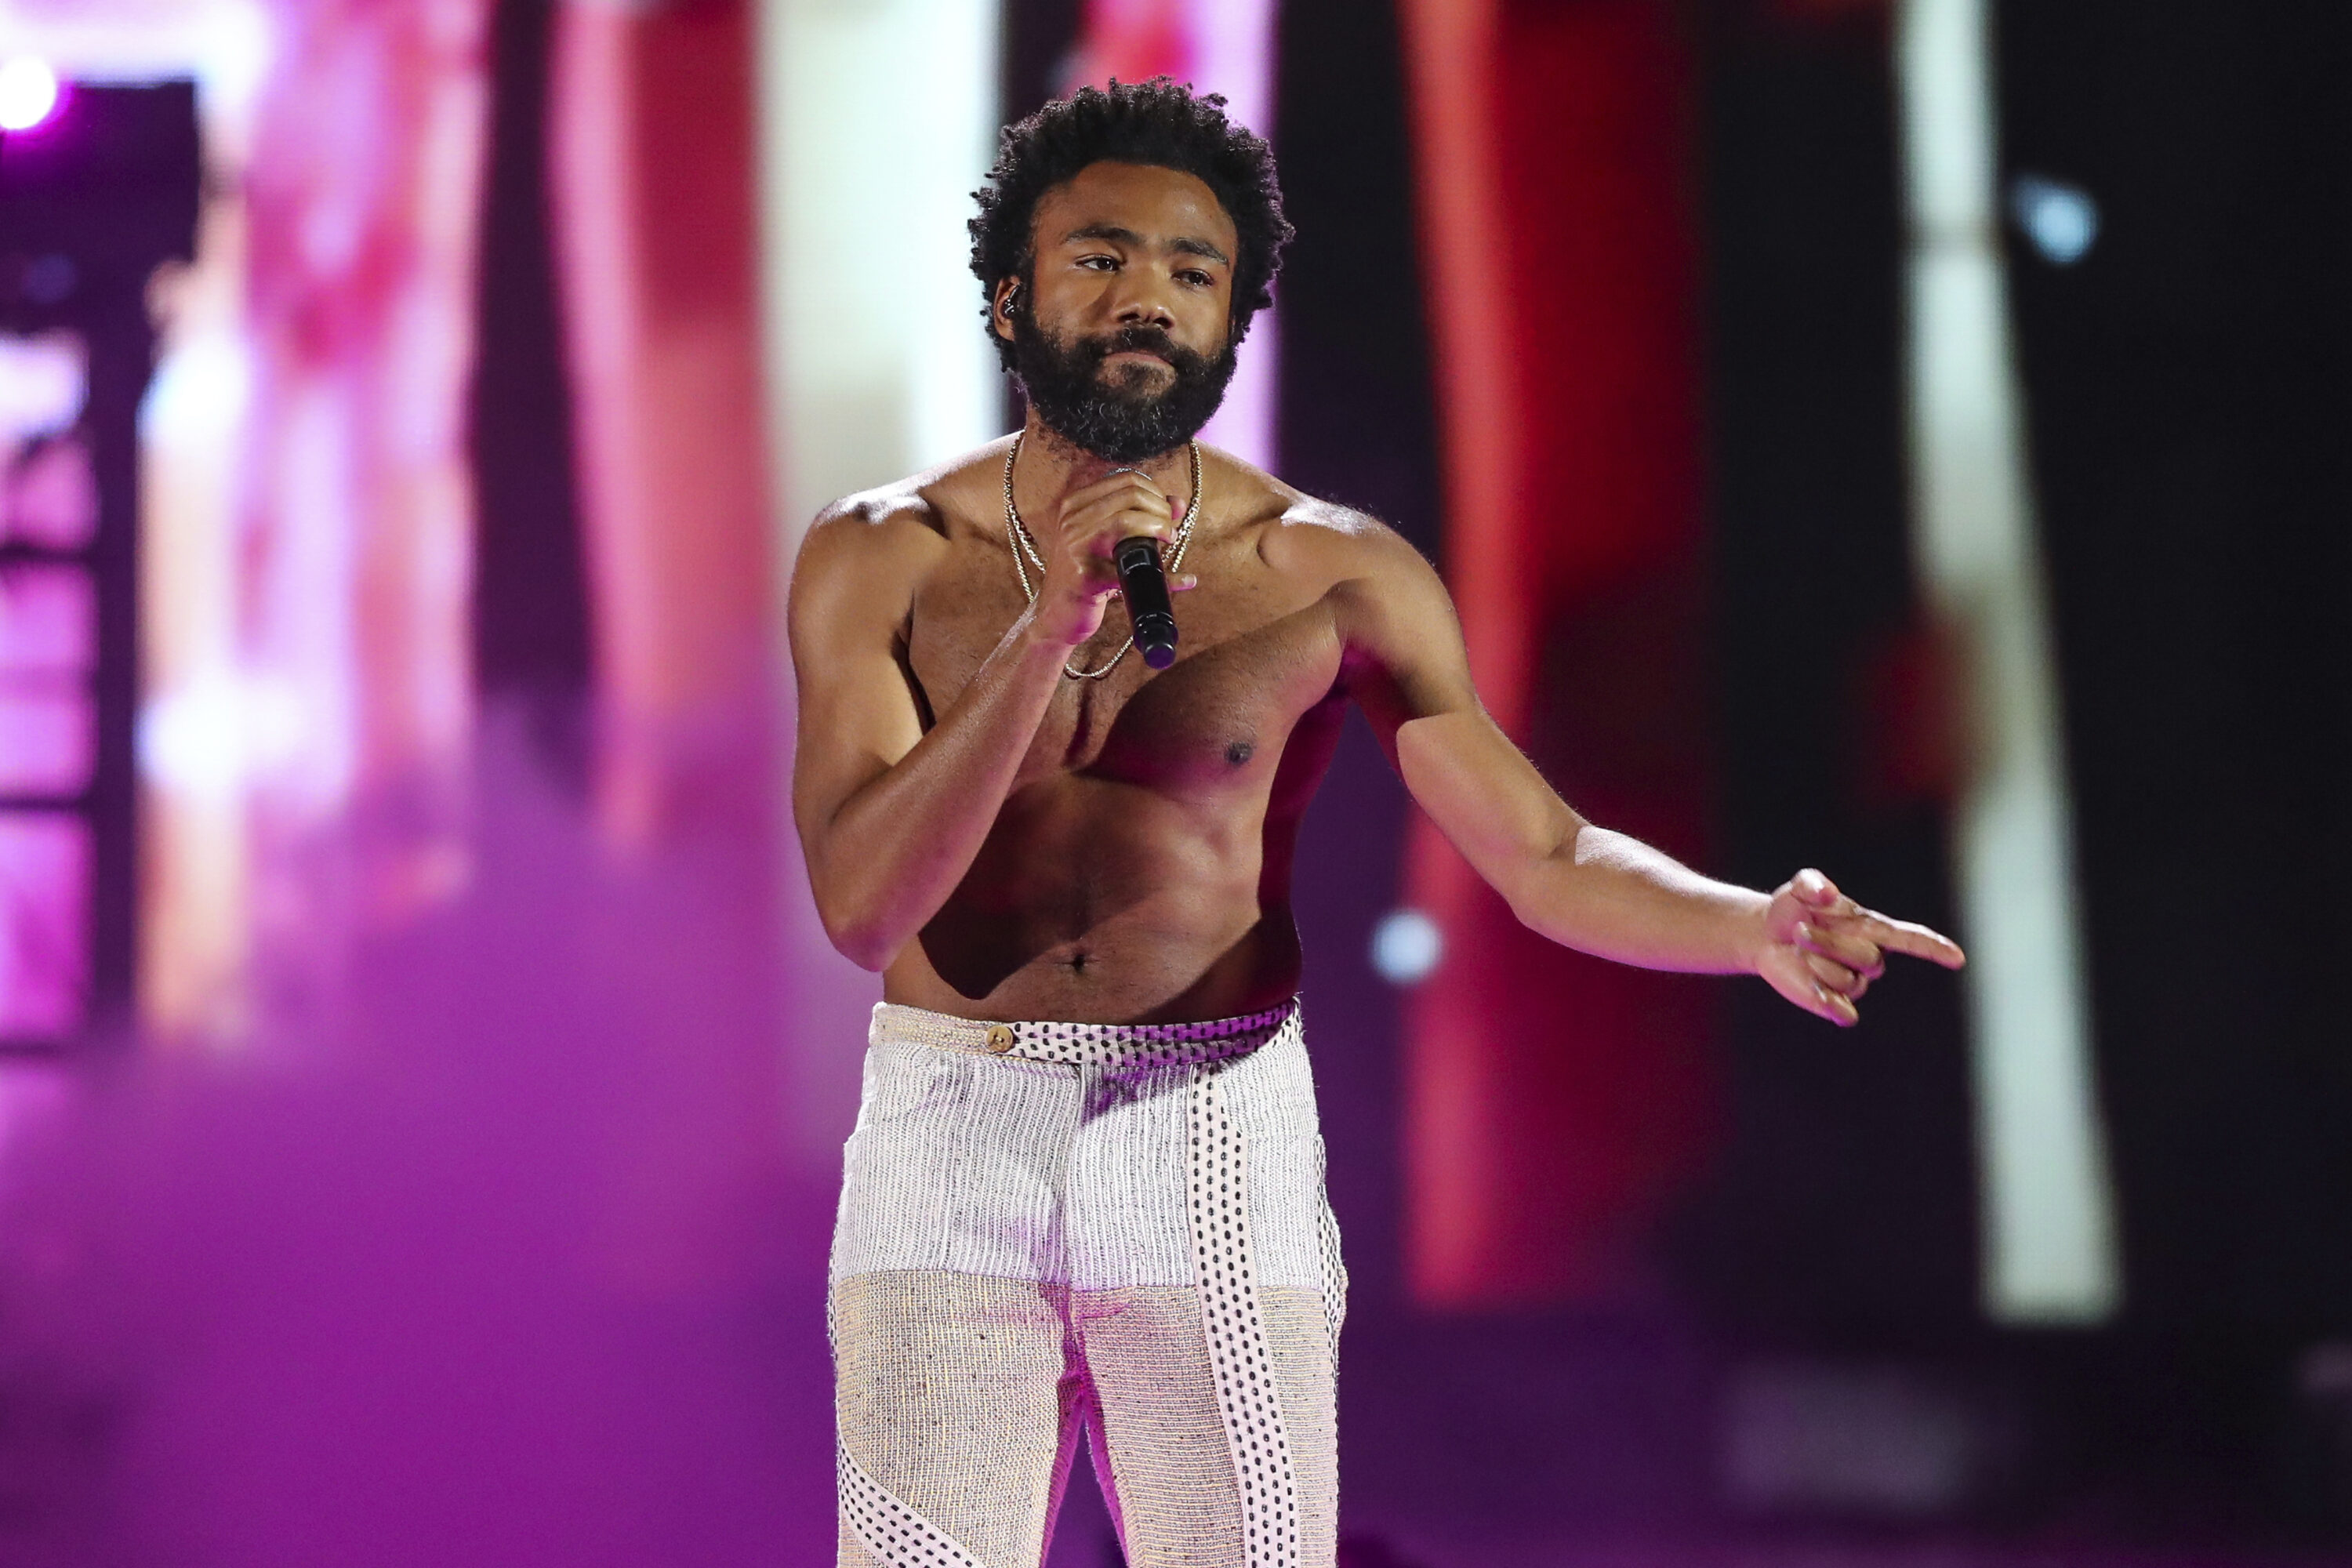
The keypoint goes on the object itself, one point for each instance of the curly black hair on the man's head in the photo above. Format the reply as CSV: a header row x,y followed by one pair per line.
x,y
1154,123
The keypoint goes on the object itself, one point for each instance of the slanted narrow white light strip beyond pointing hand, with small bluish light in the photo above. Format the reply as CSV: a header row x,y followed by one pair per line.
x,y
2047,1205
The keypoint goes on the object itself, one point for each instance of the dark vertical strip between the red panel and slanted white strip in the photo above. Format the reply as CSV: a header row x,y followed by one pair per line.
x,y
1843,1209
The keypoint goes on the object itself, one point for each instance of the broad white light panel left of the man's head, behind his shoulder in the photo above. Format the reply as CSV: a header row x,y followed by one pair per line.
x,y
876,356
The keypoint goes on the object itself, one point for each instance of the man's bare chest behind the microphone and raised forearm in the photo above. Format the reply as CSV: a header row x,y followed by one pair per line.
x,y
1255,652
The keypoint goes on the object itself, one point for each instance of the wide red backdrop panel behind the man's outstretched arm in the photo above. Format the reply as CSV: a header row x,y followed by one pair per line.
x,y
1558,1104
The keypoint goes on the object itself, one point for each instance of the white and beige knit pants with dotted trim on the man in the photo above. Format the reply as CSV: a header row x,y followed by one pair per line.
x,y
1053,1228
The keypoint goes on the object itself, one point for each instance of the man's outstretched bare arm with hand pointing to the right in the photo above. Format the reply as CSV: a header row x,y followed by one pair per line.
x,y
1565,878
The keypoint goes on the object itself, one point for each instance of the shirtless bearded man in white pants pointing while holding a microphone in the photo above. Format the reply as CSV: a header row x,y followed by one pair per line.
x,y
1085,1188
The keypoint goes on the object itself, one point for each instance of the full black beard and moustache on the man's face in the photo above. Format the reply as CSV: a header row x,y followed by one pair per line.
x,y
1121,420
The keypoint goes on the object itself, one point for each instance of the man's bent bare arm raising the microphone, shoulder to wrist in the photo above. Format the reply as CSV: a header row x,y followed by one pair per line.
x,y
890,815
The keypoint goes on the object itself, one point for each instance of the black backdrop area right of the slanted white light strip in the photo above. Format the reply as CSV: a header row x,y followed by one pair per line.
x,y
2189,387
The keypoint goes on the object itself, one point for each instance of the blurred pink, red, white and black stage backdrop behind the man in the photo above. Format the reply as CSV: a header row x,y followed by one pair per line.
x,y
1892,436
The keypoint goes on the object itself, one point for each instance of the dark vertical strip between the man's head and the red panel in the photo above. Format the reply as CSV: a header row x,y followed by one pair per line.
x,y
1358,427
